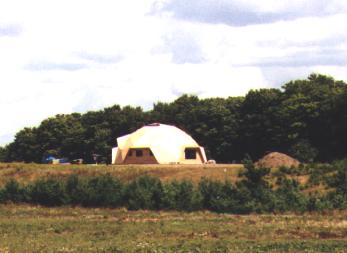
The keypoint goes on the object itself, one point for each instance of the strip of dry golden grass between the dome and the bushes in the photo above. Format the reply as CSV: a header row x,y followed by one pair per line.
x,y
25,173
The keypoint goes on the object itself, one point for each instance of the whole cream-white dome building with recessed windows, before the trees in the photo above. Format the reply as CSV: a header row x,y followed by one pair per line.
x,y
158,144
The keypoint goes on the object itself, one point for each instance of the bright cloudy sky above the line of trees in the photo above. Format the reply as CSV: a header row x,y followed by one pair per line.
x,y
75,56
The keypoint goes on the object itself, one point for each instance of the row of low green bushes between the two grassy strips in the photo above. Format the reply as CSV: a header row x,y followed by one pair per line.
x,y
252,193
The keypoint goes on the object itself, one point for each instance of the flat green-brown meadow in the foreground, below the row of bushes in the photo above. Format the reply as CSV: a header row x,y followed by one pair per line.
x,y
26,228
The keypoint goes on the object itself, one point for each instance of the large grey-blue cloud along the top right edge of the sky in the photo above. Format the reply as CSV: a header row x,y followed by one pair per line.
x,y
241,13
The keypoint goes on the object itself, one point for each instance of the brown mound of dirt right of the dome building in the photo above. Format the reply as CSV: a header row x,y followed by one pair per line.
x,y
276,159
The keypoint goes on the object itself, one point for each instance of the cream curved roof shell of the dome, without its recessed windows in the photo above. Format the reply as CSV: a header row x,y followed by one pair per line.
x,y
166,142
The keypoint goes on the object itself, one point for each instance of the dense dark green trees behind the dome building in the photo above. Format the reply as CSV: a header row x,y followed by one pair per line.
x,y
304,118
